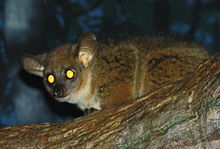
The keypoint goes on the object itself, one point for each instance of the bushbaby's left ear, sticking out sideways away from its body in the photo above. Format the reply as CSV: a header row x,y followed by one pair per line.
x,y
33,64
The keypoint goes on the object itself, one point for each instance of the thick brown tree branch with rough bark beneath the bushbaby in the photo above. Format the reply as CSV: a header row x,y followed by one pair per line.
x,y
185,114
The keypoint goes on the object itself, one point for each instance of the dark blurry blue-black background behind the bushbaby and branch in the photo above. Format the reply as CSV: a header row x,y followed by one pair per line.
x,y
35,26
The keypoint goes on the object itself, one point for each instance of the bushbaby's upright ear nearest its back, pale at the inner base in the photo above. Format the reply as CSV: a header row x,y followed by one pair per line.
x,y
86,47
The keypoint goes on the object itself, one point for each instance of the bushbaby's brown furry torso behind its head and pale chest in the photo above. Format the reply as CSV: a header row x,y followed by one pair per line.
x,y
132,68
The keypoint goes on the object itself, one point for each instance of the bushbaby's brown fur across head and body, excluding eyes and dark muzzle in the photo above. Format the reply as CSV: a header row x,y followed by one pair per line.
x,y
112,72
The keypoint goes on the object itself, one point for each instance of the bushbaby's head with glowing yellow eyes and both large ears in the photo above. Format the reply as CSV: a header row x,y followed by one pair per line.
x,y
65,68
